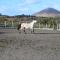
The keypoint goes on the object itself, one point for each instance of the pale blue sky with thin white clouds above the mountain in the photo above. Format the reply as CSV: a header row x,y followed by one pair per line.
x,y
27,7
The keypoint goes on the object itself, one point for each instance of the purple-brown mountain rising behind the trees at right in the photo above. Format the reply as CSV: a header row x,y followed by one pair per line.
x,y
48,12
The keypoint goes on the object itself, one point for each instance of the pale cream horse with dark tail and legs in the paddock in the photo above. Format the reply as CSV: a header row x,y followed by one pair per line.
x,y
26,25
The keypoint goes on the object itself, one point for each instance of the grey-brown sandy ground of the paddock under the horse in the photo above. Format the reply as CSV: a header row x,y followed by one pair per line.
x,y
44,45
